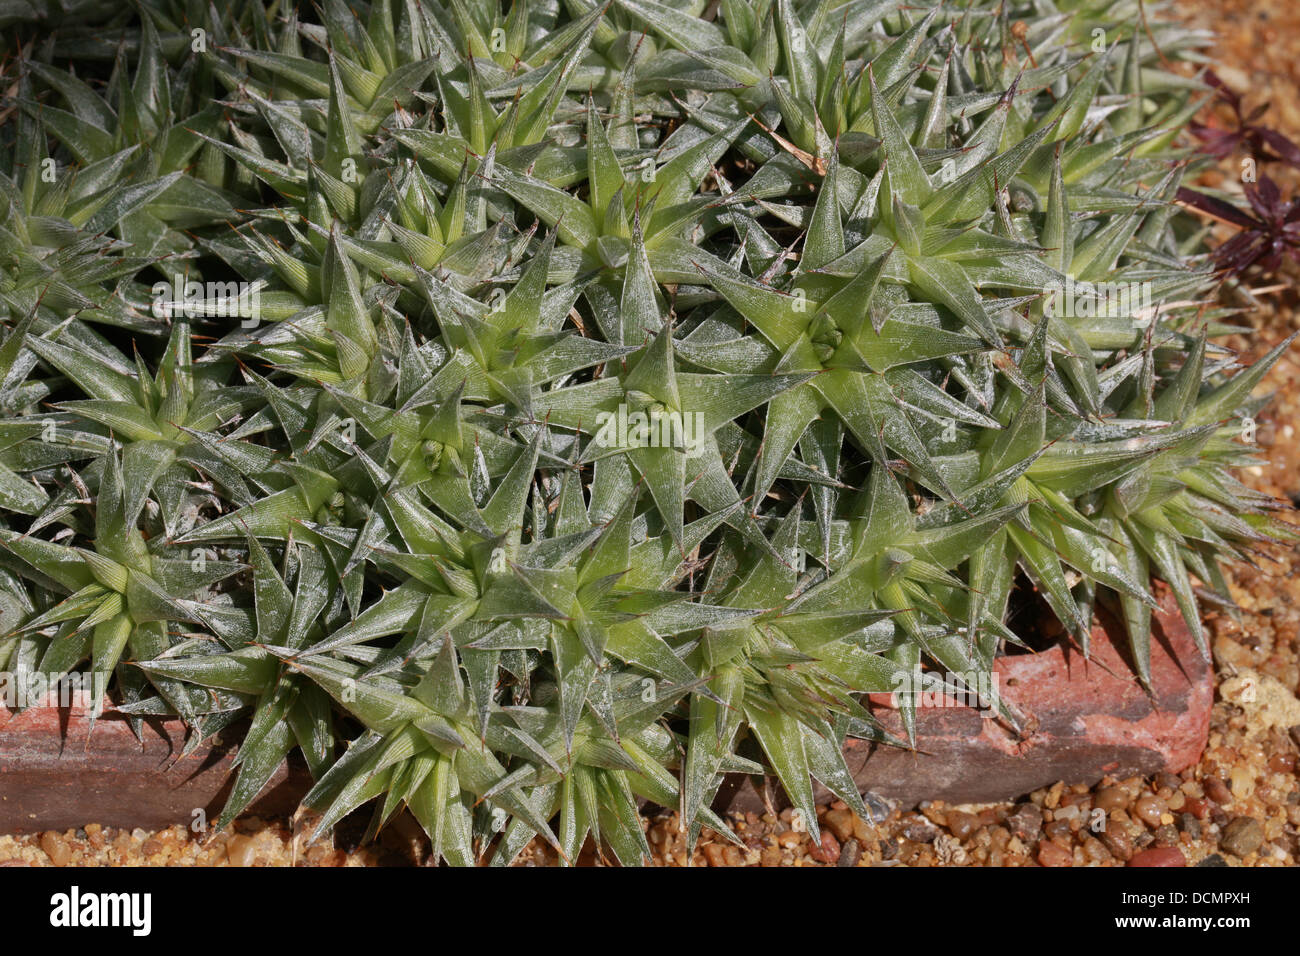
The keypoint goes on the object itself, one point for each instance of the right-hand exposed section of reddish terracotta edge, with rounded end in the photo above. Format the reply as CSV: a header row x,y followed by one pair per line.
x,y
1085,720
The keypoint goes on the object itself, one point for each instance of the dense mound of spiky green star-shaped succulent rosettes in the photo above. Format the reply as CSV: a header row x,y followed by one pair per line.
x,y
632,387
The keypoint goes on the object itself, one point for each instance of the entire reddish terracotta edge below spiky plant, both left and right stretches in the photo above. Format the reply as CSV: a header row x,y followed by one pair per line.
x,y
1085,720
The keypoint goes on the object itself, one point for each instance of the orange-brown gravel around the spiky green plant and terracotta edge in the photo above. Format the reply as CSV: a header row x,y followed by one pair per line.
x,y
1240,807
